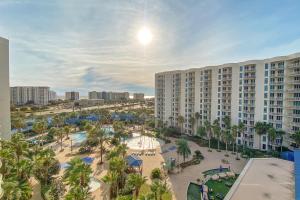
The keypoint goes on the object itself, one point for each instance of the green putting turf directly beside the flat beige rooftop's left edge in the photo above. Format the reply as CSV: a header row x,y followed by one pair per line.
x,y
220,187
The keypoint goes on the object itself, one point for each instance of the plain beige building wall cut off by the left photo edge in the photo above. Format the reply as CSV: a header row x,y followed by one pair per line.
x,y
4,90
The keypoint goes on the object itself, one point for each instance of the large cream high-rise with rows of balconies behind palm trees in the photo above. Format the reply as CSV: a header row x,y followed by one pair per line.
x,y
257,90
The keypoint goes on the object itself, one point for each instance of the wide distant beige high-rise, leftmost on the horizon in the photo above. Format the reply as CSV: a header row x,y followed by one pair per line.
x,y
29,95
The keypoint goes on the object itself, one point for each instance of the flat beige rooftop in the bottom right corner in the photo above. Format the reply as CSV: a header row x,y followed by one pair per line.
x,y
264,178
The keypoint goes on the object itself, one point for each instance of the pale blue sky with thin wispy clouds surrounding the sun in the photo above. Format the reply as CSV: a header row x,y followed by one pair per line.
x,y
87,45
